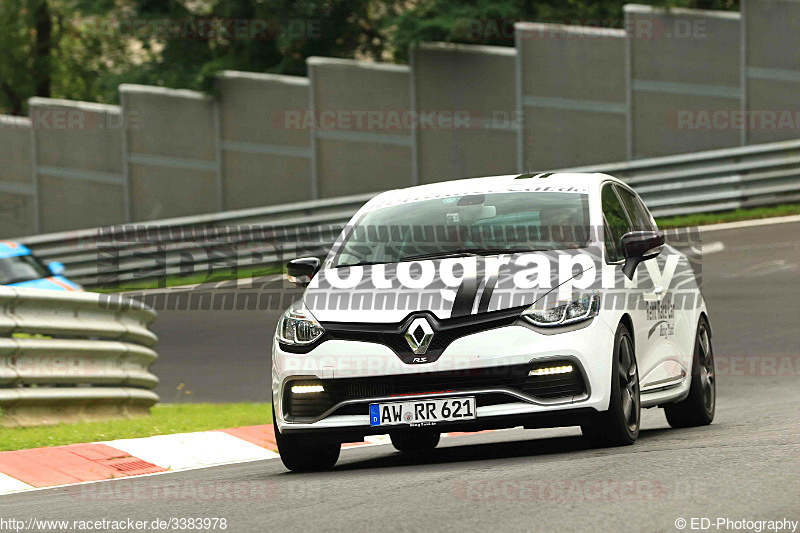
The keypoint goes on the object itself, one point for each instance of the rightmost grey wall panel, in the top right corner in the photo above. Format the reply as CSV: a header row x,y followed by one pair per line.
x,y
772,68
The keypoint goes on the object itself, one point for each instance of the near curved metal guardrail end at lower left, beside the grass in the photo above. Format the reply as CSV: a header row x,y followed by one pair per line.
x,y
73,356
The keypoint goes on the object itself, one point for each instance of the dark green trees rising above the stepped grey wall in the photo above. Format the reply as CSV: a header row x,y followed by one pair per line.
x,y
83,49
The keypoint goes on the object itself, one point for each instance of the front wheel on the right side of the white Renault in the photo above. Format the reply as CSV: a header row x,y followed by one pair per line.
x,y
619,426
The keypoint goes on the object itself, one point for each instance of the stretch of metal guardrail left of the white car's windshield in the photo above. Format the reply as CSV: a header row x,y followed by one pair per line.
x,y
243,238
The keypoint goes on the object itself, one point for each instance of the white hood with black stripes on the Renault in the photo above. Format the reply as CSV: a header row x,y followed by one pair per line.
x,y
447,288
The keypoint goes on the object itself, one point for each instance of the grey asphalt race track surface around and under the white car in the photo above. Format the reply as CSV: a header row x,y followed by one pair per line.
x,y
745,466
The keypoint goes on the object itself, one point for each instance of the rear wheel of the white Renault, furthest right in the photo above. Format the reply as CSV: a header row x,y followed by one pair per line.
x,y
698,408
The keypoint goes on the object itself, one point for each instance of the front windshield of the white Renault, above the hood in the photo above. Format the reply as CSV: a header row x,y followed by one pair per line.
x,y
504,222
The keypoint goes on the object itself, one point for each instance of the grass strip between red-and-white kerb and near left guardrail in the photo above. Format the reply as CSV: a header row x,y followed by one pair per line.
x,y
165,419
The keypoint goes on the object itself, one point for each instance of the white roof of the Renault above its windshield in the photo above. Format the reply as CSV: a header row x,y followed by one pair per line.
x,y
579,182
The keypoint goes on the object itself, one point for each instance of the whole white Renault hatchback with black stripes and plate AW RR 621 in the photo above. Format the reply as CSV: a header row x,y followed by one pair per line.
x,y
539,300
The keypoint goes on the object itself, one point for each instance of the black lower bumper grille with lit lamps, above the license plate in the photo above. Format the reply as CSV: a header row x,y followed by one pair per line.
x,y
515,377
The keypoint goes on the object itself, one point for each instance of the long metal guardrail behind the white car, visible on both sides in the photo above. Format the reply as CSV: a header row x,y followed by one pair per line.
x,y
717,180
